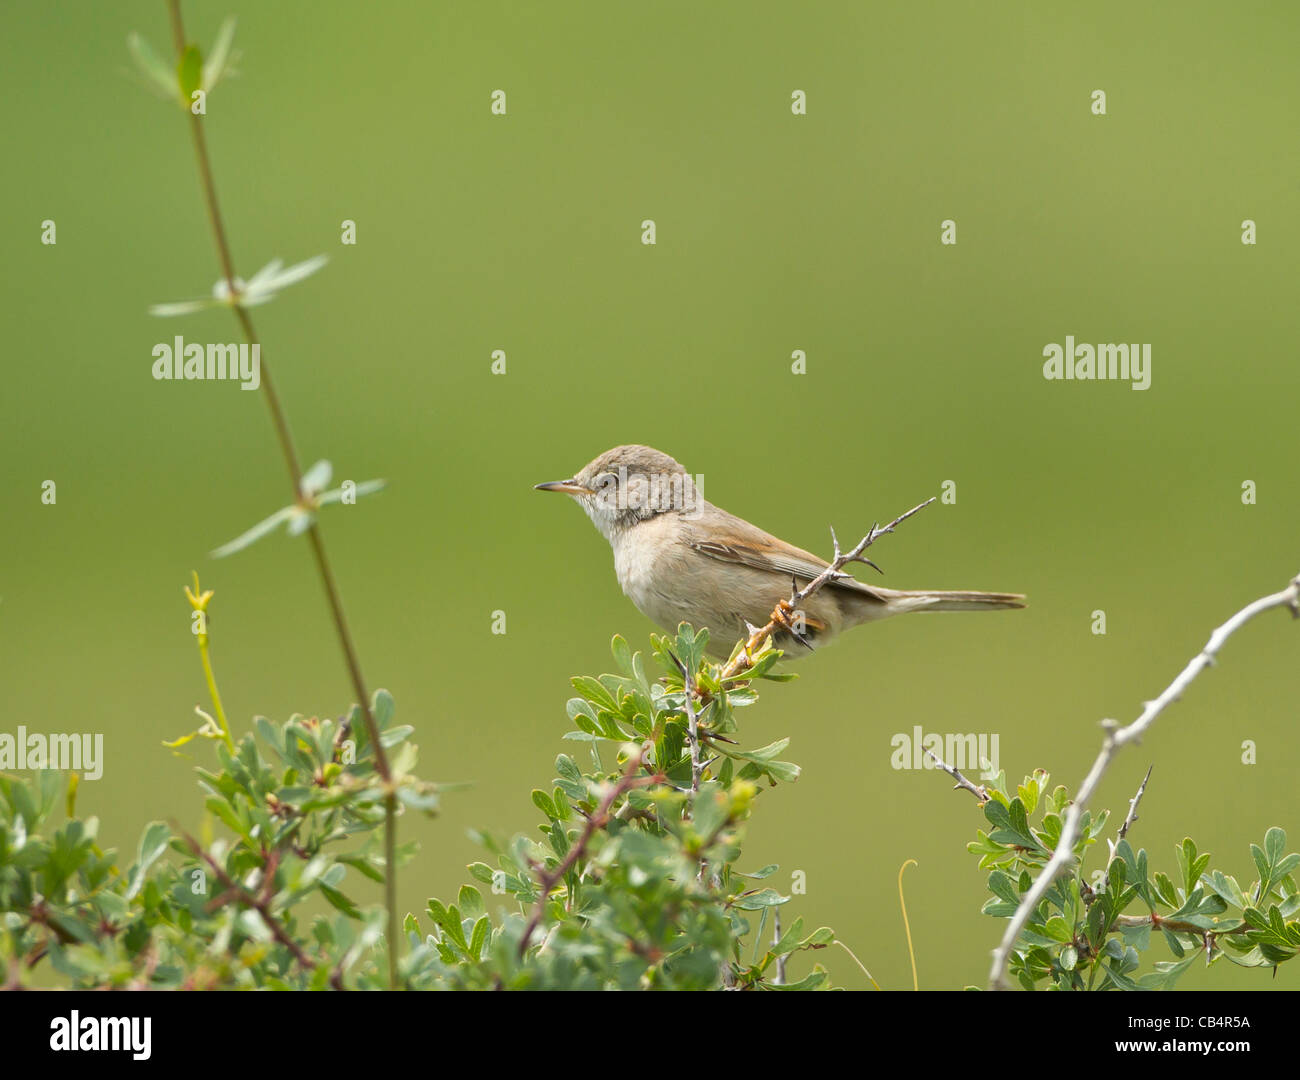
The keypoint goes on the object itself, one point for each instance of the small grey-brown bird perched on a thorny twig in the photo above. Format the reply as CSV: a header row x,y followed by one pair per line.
x,y
682,559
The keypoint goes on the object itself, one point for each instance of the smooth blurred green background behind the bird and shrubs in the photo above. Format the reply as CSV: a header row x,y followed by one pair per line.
x,y
775,233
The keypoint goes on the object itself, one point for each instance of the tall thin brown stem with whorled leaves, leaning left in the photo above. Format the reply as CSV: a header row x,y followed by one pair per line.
x,y
287,445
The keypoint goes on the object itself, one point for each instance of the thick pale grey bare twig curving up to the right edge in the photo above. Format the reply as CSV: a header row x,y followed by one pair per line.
x,y
1117,738
